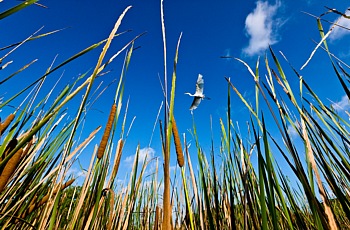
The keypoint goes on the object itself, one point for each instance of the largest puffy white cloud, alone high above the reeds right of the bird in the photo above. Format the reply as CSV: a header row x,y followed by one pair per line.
x,y
261,27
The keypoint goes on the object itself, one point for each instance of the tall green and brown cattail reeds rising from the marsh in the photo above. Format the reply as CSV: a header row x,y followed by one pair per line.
x,y
227,192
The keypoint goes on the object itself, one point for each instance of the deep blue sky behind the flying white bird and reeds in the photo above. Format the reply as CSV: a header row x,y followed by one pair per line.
x,y
242,29
